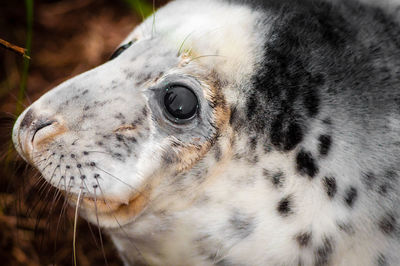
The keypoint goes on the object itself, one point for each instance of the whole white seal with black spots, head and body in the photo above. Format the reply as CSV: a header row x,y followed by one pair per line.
x,y
235,133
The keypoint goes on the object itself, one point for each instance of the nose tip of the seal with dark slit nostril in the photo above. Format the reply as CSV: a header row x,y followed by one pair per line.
x,y
33,130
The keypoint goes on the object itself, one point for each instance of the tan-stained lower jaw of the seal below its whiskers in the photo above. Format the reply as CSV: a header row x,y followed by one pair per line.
x,y
110,212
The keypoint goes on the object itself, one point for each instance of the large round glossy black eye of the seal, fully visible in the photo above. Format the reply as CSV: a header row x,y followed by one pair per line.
x,y
180,102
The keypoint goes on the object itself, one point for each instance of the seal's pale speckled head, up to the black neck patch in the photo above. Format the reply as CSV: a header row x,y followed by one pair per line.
x,y
113,131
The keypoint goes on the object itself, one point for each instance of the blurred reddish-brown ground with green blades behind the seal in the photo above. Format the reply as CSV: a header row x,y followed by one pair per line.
x,y
64,38
